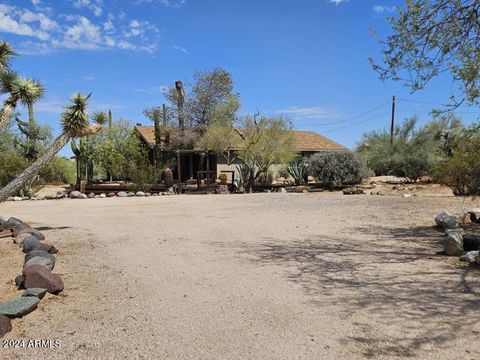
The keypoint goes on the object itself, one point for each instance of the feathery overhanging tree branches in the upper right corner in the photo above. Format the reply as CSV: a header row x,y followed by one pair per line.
x,y
434,37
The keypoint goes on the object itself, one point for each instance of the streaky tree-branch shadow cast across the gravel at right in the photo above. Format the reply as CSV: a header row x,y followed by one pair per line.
x,y
418,299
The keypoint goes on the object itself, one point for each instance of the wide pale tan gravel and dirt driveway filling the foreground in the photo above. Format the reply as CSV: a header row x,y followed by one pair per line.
x,y
262,276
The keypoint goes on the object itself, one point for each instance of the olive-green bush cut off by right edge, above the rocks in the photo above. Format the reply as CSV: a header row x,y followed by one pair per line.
x,y
461,169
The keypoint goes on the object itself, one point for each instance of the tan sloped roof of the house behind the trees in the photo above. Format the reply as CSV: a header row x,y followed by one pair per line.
x,y
303,140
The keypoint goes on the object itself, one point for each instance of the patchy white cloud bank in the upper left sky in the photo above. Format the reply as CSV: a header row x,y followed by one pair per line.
x,y
52,32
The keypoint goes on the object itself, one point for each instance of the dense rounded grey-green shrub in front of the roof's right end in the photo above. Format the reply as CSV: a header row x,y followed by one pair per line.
x,y
336,169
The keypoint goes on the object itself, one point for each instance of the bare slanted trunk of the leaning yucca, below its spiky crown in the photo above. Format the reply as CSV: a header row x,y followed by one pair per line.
x,y
32,171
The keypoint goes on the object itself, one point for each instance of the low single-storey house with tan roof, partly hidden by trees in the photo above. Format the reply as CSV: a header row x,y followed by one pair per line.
x,y
306,143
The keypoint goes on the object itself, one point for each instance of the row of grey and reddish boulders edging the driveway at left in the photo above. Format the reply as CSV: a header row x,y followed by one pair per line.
x,y
36,278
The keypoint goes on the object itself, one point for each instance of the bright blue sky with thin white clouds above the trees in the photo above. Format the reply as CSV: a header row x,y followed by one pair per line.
x,y
304,59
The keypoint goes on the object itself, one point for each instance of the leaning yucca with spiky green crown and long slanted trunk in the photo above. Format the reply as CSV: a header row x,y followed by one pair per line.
x,y
75,123
